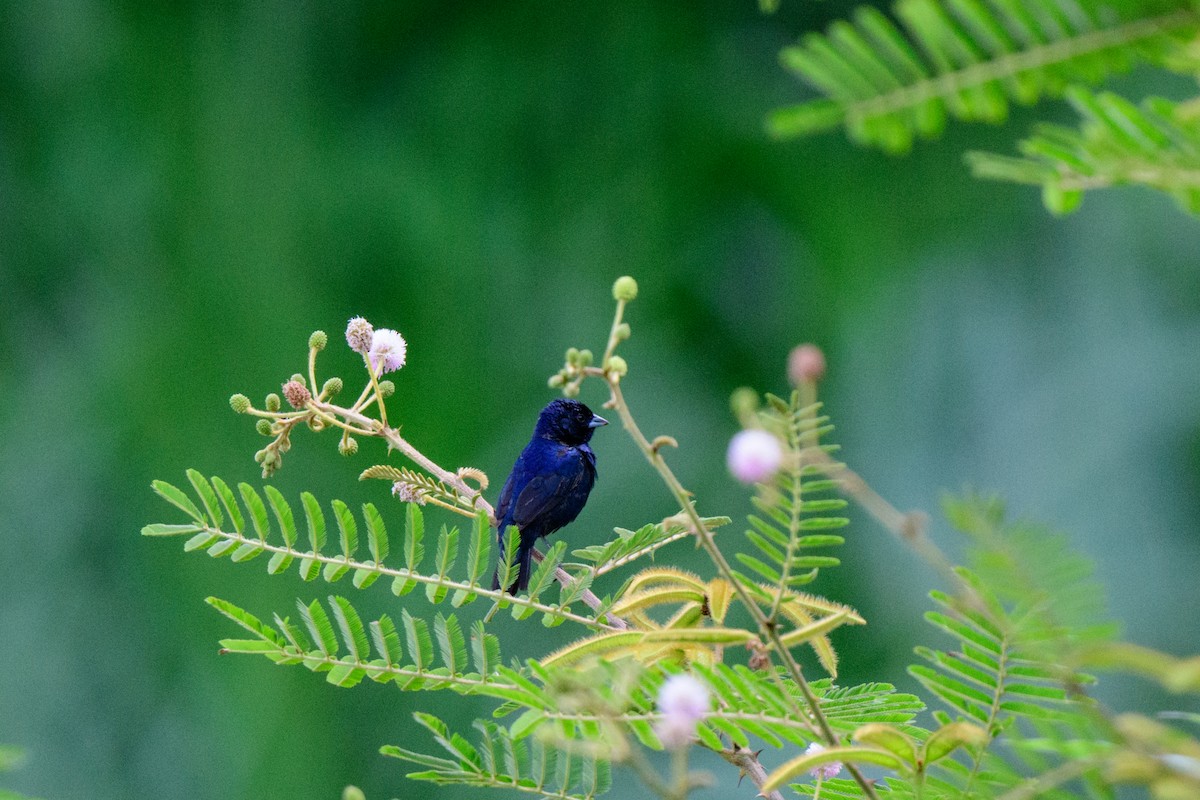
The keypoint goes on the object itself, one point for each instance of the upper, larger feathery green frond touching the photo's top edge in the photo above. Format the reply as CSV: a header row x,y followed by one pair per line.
x,y
965,59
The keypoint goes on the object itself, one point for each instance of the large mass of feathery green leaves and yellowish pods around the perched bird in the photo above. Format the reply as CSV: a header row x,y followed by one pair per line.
x,y
1024,616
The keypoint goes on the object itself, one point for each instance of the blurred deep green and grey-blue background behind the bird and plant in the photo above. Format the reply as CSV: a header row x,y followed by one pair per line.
x,y
188,190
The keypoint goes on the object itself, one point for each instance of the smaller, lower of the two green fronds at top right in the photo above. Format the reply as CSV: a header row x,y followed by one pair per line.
x,y
1118,143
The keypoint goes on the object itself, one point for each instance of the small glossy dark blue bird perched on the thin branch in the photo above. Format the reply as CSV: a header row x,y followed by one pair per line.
x,y
550,483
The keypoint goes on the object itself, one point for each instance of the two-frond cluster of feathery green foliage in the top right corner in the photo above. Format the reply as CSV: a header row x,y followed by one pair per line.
x,y
890,85
